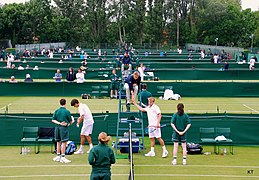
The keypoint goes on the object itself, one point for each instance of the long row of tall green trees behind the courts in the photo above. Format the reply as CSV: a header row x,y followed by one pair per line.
x,y
133,21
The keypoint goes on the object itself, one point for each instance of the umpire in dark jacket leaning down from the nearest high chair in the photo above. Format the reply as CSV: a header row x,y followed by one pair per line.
x,y
132,86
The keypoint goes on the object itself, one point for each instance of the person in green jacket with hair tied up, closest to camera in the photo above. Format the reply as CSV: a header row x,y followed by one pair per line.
x,y
100,158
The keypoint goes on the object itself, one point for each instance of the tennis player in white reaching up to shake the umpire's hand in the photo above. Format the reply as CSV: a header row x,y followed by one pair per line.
x,y
154,118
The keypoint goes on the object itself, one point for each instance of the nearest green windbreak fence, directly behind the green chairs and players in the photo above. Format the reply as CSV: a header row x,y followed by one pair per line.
x,y
244,128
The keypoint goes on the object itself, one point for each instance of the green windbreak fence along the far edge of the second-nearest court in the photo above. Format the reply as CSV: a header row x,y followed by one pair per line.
x,y
185,89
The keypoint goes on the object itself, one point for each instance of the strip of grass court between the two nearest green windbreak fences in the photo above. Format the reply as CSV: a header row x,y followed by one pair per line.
x,y
46,105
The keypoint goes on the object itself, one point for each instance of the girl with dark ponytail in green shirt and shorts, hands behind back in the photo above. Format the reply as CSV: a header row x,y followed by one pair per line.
x,y
180,122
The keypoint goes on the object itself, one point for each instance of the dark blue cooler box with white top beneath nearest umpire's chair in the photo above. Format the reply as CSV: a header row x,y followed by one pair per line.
x,y
124,145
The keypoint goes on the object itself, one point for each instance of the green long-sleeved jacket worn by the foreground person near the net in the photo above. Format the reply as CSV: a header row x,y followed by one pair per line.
x,y
101,157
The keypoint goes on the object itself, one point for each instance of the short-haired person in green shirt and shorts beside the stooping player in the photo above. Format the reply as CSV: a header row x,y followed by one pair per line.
x,y
63,119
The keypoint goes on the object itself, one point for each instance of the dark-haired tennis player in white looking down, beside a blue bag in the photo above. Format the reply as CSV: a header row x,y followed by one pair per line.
x,y
87,118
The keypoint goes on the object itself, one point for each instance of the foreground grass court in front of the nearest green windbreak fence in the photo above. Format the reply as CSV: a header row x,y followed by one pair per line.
x,y
40,166
